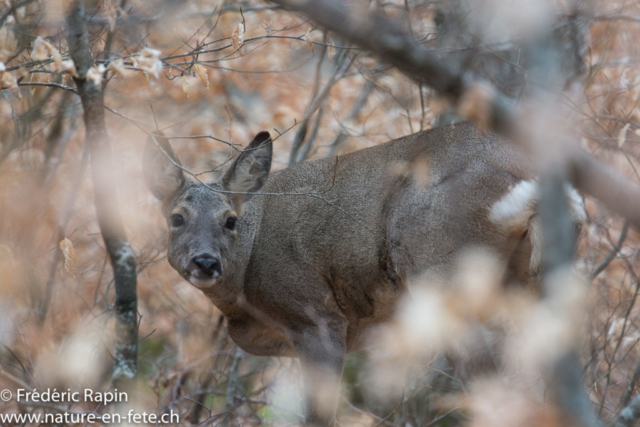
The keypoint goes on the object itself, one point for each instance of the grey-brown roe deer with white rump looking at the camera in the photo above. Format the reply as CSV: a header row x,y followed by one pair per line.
x,y
326,251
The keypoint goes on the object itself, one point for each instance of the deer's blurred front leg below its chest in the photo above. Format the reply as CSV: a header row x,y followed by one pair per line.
x,y
322,358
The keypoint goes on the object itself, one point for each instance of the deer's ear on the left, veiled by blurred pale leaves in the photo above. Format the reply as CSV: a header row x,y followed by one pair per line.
x,y
162,175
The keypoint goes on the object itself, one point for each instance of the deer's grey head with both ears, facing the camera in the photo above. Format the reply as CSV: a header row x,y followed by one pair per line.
x,y
203,219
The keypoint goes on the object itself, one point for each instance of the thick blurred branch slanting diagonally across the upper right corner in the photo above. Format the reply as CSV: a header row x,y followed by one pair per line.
x,y
382,37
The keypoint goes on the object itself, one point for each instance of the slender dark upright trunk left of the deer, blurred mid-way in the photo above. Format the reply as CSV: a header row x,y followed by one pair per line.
x,y
111,226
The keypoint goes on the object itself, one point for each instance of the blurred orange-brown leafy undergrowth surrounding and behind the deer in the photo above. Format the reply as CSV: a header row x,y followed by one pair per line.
x,y
224,71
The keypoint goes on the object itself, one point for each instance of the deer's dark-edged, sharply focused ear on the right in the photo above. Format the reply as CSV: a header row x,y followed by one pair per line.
x,y
250,169
